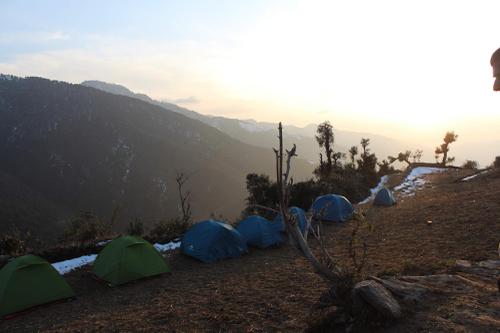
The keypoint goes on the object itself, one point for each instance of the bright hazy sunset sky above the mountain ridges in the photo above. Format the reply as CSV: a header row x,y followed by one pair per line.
x,y
406,69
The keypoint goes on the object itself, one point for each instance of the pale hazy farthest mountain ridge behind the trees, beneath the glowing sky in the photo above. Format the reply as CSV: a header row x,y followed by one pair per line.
x,y
261,133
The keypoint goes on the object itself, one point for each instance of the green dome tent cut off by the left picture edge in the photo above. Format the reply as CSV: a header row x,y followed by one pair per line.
x,y
28,281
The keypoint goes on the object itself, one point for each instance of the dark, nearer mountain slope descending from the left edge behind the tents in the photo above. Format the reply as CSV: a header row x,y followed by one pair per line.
x,y
78,148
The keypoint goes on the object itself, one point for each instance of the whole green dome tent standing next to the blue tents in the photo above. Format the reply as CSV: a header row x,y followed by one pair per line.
x,y
128,258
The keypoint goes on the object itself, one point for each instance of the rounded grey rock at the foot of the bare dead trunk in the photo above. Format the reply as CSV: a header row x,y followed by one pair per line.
x,y
378,297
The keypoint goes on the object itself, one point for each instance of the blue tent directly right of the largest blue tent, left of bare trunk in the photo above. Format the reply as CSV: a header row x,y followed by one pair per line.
x,y
259,232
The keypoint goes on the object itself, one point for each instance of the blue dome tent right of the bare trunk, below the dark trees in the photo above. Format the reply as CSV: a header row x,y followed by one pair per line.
x,y
332,208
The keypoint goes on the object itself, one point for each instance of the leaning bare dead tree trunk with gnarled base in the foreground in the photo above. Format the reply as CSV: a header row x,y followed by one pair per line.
x,y
378,293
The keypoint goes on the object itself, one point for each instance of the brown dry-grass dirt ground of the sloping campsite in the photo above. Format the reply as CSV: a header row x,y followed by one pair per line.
x,y
275,289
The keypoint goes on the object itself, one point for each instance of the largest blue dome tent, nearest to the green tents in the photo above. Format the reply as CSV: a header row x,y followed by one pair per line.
x,y
210,240
